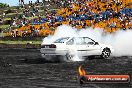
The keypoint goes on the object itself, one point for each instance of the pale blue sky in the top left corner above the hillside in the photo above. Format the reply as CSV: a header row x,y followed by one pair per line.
x,y
15,2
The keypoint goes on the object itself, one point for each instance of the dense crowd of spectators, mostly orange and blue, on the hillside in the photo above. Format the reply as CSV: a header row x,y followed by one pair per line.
x,y
111,15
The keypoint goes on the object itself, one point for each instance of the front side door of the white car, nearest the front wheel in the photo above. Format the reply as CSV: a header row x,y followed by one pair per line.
x,y
91,47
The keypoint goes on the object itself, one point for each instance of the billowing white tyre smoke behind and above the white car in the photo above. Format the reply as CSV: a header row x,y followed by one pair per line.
x,y
121,40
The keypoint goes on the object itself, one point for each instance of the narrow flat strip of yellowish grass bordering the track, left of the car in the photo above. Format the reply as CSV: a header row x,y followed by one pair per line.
x,y
20,42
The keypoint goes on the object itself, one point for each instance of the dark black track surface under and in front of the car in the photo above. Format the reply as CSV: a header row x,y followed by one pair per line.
x,y
24,68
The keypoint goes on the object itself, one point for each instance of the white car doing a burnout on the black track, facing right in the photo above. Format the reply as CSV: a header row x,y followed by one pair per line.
x,y
69,47
